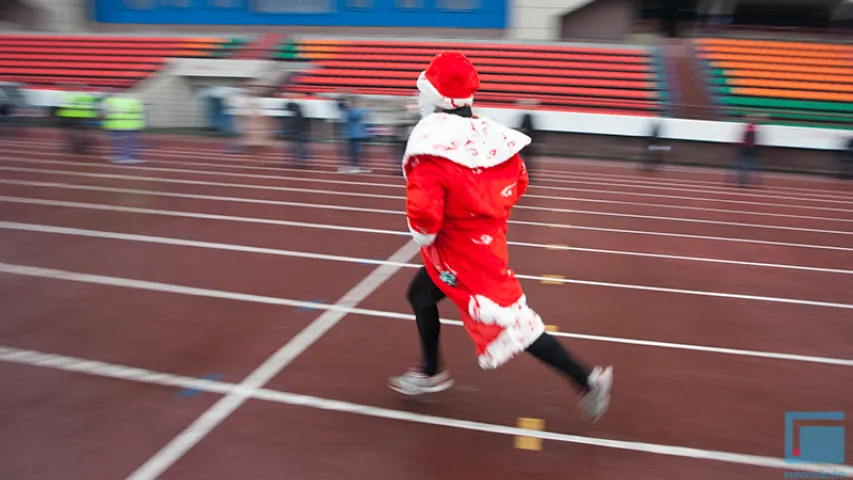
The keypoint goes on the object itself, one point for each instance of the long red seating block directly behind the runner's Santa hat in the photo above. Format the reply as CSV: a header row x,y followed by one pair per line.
x,y
575,77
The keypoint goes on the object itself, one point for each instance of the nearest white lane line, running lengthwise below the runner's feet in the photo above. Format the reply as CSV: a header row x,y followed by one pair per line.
x,y
140,375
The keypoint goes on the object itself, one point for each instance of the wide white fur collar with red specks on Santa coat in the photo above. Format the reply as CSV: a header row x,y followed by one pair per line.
x,y
470,142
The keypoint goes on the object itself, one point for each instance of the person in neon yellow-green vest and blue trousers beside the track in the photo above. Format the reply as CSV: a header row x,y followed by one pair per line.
x,y
124,120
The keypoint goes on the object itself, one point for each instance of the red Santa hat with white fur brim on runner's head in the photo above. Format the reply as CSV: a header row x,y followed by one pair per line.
x,y
450,81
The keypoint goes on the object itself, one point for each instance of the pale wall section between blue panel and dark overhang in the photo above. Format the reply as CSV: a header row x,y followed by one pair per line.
x,y
539,19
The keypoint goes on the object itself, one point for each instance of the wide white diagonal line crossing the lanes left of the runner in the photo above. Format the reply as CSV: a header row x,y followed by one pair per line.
x,y
222,409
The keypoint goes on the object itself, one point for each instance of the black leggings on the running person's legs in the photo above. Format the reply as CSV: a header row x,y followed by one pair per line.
x,y
424,296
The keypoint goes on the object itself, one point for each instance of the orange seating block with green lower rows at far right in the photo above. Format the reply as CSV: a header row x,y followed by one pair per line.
x,y
792,82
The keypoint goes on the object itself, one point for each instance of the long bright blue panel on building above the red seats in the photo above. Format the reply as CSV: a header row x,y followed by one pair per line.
x,y
361,13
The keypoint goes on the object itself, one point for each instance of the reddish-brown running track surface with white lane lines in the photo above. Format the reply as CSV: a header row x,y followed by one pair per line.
x,y
720,309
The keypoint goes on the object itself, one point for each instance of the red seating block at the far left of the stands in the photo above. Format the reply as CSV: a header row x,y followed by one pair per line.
x,y
99,61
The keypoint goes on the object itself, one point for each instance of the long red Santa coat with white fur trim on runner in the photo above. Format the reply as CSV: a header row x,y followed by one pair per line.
x,y
463,176
